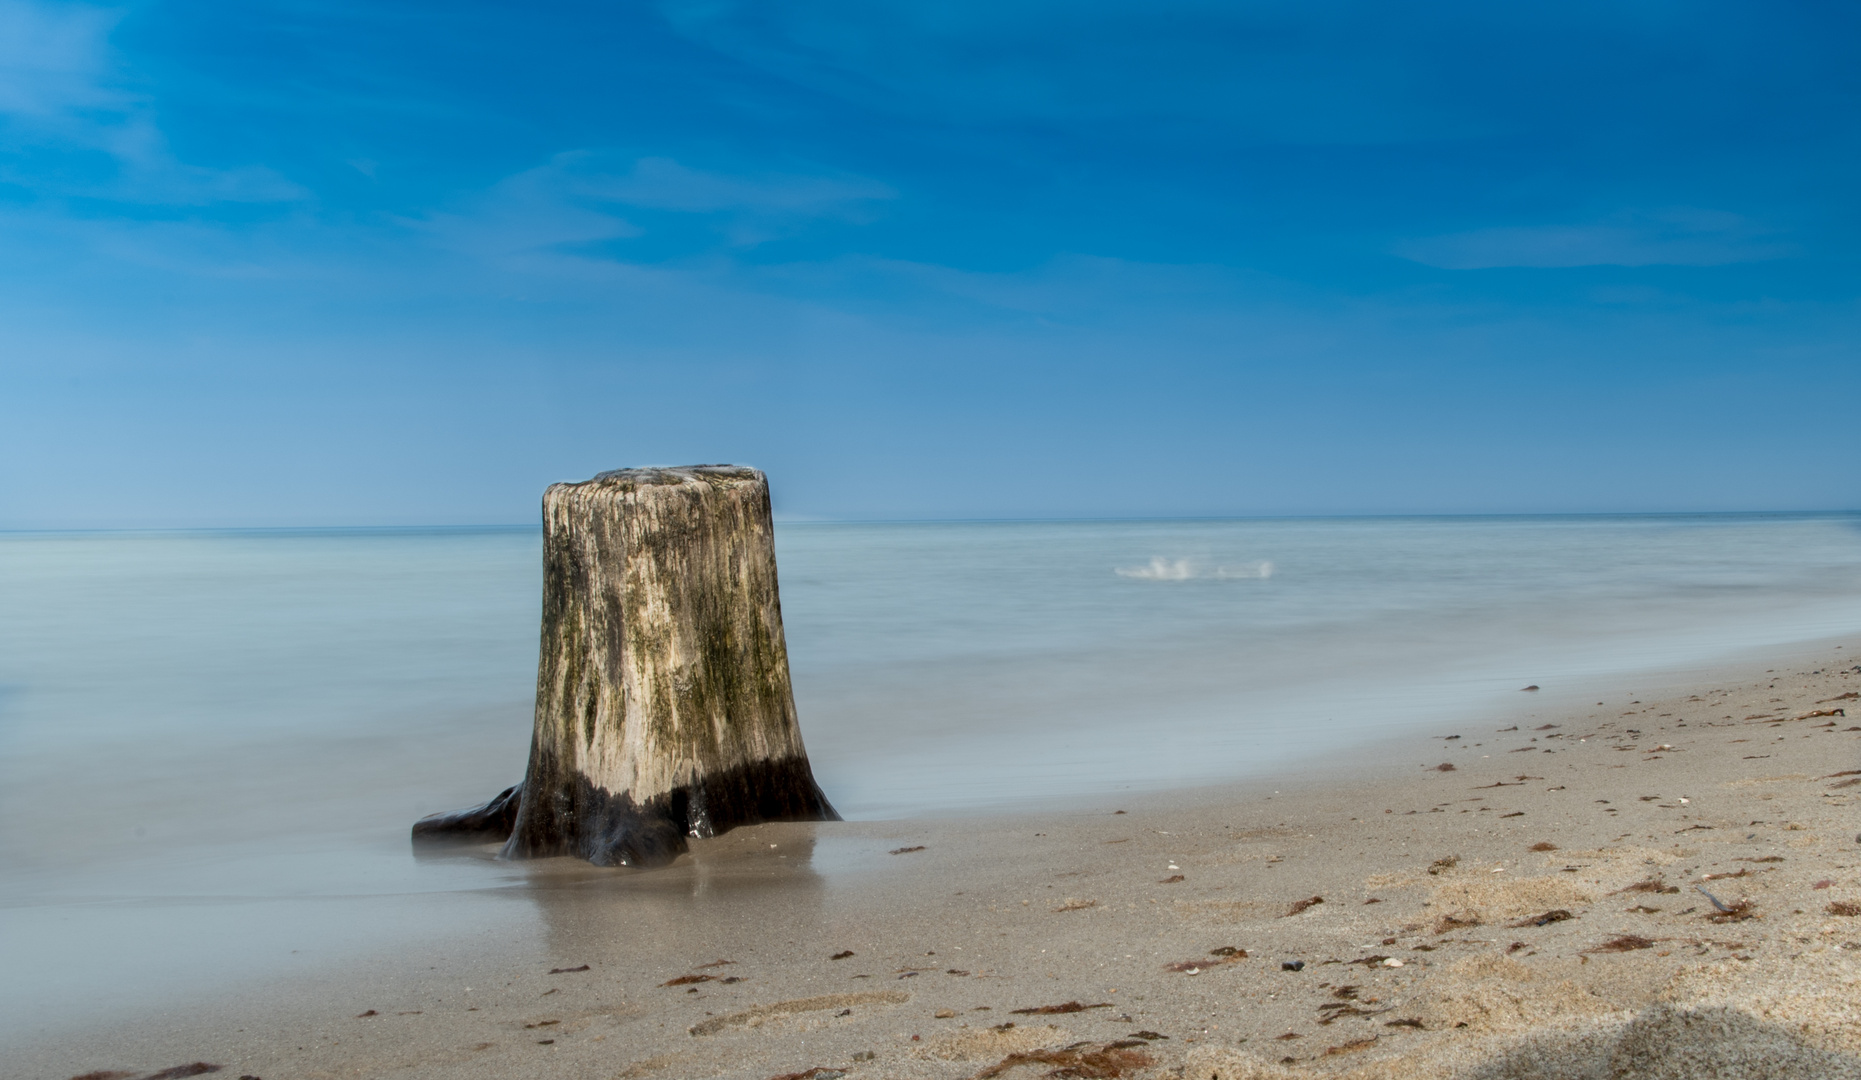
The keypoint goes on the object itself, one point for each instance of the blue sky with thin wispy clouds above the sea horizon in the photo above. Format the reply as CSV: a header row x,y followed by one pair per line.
x,y
407,263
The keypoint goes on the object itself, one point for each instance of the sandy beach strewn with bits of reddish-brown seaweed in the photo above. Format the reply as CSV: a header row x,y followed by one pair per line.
x,y
1536,911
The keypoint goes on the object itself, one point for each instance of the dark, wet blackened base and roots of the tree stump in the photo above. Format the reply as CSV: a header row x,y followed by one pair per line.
x,y
615,831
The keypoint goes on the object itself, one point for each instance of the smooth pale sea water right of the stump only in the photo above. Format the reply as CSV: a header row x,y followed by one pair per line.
x,y
943,666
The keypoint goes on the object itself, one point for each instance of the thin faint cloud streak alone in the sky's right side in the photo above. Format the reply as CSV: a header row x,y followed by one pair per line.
x,y
1681,237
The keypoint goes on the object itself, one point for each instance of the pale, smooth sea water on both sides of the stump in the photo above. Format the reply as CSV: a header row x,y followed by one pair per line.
x,y
213,744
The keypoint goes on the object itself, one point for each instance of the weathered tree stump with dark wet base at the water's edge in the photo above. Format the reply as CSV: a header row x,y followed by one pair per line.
x,y
663,703
